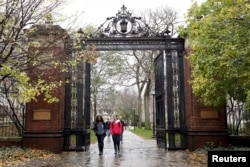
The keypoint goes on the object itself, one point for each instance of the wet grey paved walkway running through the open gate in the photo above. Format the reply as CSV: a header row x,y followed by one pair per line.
x,y
134,152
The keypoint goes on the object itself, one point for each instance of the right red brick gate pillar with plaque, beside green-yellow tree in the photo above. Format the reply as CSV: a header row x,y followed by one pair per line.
x,y
204,124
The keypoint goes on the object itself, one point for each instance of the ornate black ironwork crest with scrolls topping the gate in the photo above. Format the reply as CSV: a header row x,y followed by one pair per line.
x,y
123,25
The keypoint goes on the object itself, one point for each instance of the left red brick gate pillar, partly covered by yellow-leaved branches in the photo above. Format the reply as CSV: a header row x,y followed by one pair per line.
x,y
44,121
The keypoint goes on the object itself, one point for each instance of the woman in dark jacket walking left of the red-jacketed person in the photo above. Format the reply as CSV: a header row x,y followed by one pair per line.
x,y
100,131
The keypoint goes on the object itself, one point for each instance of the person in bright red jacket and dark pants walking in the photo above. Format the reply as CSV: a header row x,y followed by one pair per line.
x,y
116,130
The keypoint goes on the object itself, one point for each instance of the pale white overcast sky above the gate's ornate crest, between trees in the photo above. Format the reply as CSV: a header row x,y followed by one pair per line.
x,y
95,12
